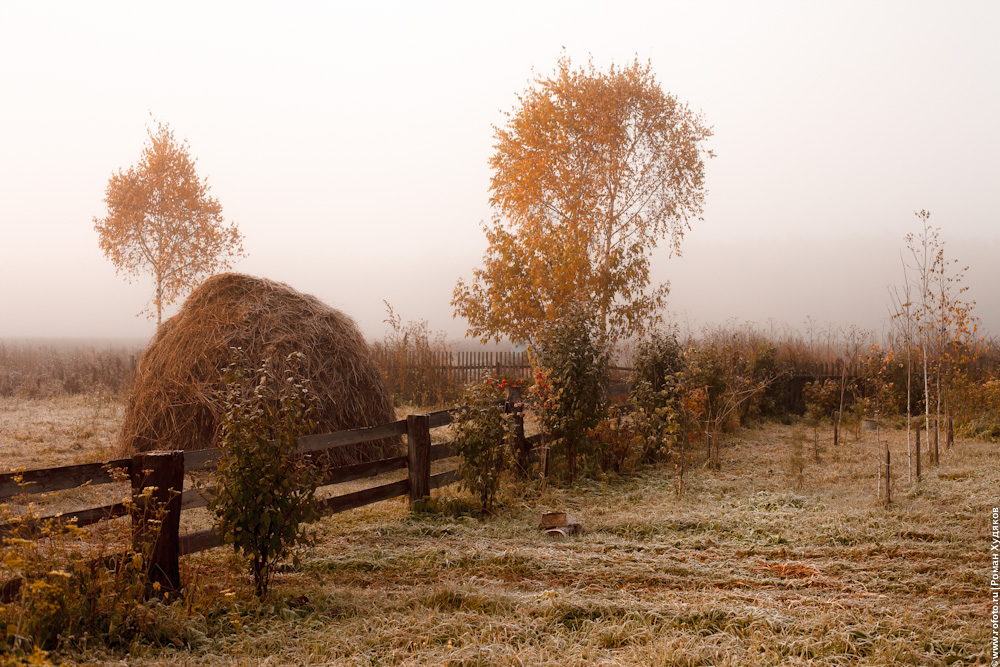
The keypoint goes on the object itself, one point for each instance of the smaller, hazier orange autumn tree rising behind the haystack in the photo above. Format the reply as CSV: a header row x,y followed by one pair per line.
x,y
163,222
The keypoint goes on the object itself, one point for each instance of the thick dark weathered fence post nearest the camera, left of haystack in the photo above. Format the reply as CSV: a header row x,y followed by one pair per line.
x,y
156,516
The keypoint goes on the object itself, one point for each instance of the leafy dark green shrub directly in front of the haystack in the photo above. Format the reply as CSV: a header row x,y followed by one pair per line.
x,y
266,491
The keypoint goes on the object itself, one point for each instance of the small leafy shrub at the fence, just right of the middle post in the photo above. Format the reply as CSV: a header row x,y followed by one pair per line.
x,y
484,440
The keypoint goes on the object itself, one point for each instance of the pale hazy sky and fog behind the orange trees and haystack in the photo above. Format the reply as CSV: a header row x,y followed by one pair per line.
x,y
350,143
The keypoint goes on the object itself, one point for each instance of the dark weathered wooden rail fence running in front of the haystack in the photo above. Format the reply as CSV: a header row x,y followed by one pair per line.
x,y
166,470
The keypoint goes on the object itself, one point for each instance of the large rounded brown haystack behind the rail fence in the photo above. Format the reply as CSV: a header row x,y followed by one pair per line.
x,y
176,400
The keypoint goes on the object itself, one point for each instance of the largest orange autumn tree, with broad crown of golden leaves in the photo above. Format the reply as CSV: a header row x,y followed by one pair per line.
x,y
591,171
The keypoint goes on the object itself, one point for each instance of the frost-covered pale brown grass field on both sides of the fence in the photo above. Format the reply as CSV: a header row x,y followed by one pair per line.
x,y
776,560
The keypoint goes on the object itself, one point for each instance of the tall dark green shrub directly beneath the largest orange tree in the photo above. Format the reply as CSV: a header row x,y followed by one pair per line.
x,y
571,369
